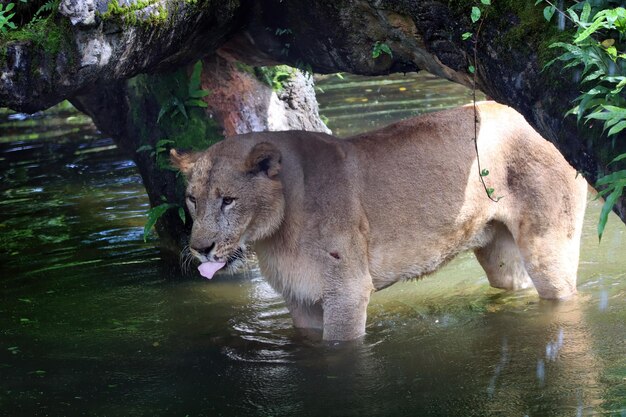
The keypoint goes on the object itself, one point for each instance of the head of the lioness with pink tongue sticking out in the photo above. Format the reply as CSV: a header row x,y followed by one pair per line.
x,y
234,195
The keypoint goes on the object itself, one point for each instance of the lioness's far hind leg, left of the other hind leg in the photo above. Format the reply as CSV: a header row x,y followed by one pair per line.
x,y
502,261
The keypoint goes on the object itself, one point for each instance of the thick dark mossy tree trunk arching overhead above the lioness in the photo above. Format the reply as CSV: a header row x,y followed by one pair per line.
x,y
512,47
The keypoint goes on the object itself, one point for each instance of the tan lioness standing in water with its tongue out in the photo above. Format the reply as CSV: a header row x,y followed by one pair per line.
x,y
334,220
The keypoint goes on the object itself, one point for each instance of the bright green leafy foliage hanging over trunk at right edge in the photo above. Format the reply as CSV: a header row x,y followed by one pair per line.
x,y
595,47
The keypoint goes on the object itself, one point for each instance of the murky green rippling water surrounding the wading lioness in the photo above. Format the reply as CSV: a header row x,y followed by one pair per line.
x,y
93,323
